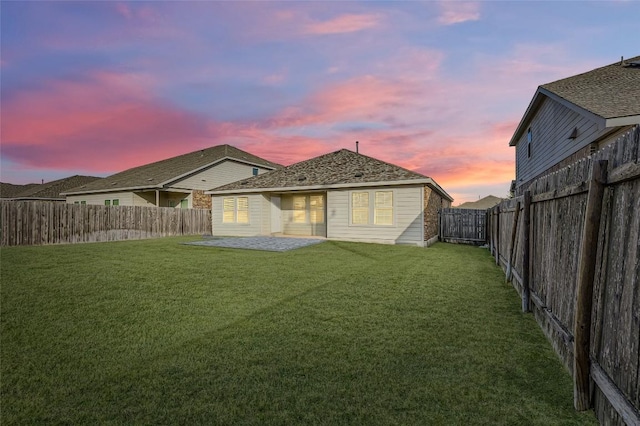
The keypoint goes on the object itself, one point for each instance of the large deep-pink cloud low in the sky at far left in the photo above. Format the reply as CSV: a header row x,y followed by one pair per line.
x,y
105,122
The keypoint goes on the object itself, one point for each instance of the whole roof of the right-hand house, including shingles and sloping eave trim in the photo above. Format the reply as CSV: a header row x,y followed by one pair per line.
x,y
607,95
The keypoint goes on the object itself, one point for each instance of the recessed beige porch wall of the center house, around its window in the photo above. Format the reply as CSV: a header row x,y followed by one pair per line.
x,y
300,222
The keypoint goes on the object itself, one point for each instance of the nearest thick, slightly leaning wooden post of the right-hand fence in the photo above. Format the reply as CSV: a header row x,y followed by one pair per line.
x,y
584,287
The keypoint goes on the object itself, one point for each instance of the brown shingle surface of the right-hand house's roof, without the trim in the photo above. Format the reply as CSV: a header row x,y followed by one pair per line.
x,y
611,91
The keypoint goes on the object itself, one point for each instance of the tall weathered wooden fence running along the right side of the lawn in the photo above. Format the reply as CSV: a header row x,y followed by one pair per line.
x,y
571,247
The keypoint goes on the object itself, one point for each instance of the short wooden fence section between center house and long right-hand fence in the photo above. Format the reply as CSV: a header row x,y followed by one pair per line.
x,y
463,225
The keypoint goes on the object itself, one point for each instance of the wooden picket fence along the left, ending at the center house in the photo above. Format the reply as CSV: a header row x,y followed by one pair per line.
x,y
43,222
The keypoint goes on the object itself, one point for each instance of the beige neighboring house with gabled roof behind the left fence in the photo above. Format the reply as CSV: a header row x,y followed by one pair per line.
x,y
175,182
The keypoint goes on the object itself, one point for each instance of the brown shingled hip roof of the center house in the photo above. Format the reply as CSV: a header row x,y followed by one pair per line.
x,y
339,169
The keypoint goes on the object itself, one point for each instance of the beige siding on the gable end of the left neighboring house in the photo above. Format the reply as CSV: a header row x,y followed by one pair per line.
x,y
220,174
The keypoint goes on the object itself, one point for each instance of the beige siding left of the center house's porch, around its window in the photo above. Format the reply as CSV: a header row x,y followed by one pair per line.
x,y
254,227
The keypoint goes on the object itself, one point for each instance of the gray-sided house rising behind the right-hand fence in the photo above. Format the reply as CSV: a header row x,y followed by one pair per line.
x,y
571,118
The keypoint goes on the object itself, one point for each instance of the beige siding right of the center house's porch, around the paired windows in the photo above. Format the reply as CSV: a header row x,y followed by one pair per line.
x,y
408,223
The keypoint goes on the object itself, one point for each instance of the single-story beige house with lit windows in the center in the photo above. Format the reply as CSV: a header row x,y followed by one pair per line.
x,y
342,195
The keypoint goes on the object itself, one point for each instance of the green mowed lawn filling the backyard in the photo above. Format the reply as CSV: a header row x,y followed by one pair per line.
x,y
156,332
